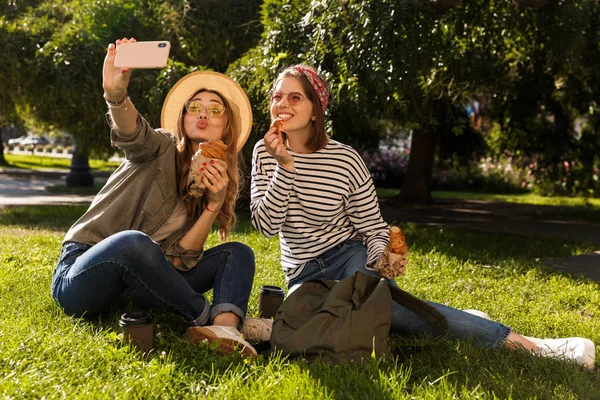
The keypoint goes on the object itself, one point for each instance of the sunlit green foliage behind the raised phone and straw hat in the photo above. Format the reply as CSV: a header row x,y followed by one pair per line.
x,y
64,42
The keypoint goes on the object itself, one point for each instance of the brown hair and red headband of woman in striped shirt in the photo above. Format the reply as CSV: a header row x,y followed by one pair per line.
x,y
318,137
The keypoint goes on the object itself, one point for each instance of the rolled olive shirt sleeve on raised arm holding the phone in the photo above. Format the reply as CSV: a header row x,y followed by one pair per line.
x,y
144,144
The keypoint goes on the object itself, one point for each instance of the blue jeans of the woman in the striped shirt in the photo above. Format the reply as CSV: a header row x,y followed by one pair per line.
x,y
346,259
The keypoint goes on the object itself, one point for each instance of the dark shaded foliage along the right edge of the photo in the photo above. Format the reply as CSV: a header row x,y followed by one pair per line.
x,y
548,109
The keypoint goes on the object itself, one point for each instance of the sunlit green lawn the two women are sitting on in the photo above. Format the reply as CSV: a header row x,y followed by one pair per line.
x,y
44,353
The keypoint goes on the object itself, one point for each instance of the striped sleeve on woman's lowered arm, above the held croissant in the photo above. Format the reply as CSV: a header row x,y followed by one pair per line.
x,y
364,213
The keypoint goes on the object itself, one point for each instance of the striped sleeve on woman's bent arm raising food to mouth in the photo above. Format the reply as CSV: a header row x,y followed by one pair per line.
x,y
270,193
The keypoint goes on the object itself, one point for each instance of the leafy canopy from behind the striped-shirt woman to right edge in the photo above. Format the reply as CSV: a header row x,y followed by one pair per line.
x,y
403,61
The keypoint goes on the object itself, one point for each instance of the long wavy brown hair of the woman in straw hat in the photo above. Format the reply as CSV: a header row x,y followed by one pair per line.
x,y
194,206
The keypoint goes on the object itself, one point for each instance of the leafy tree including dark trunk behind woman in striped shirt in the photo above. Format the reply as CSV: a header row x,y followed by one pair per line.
x,y
394,60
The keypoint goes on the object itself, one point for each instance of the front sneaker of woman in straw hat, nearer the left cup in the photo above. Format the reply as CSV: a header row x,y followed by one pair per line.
x,y
228,338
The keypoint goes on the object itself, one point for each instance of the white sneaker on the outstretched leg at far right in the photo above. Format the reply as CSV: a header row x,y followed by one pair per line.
x,y
581,350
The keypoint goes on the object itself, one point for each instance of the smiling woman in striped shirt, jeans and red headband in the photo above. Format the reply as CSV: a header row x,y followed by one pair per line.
x,y
318,196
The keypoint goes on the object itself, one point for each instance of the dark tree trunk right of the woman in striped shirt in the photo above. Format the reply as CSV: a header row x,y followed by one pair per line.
x,y
419,174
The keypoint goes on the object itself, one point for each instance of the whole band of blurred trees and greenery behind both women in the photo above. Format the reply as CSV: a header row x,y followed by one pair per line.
x,y
487,95
